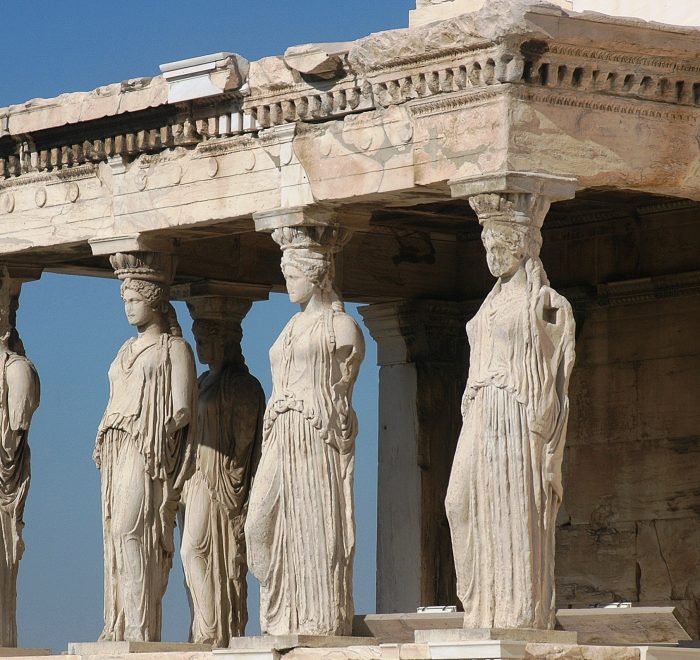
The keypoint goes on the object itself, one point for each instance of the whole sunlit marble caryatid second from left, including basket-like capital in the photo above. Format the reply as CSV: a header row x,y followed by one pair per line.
x,y
144,450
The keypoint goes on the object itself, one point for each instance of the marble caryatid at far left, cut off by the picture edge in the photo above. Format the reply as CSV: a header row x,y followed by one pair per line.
x,y
19,398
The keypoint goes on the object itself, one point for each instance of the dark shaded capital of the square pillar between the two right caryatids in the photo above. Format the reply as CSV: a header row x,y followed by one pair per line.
x,y
418,330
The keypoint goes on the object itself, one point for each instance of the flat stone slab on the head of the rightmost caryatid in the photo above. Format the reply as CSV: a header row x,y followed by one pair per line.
x,y
554,188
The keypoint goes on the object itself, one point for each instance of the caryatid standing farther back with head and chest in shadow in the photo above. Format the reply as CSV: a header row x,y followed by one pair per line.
x,y
229,435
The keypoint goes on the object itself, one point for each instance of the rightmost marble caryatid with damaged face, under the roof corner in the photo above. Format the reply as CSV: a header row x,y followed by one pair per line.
x,y
505,487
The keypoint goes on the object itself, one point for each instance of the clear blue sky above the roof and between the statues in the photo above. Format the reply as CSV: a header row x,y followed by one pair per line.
x,y
72,327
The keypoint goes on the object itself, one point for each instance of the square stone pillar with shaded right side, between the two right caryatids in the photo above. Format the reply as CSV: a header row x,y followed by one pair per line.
x,y
422,353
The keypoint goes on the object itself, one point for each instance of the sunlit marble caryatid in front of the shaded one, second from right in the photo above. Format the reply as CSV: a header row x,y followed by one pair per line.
x,y
300,529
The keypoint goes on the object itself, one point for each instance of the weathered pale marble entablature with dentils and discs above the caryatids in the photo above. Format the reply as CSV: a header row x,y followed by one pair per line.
x,y
406,110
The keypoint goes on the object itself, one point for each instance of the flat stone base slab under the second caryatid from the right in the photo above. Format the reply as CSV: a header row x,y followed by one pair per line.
x,y
271,647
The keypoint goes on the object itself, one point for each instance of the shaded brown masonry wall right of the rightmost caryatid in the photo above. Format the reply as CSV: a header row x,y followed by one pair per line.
x,y
629,528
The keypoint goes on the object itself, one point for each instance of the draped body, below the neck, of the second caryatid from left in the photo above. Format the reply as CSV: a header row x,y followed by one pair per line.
x,y
142,466
